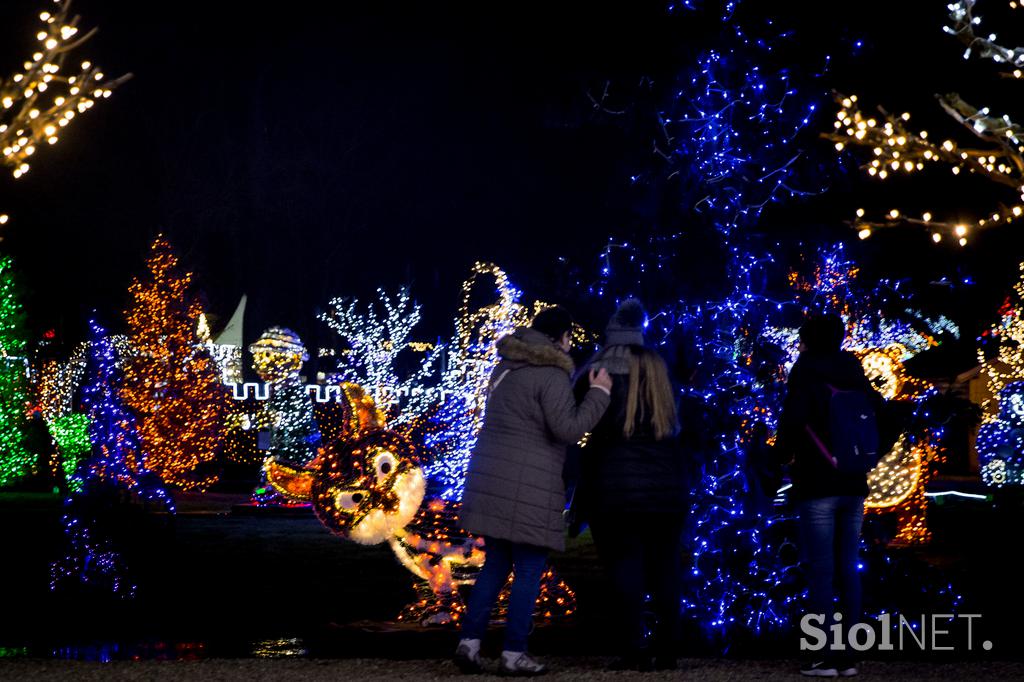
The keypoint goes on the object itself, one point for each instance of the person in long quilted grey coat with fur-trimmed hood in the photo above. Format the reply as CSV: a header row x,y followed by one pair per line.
x,y
515,495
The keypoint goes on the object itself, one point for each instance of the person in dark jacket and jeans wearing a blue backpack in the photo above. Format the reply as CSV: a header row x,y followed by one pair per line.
x,y
828,434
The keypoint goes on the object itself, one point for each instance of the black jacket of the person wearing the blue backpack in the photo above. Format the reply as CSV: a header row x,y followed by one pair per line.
x,y
807,400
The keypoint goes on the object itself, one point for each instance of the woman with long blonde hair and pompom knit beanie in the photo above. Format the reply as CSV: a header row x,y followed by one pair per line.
x,y
633,491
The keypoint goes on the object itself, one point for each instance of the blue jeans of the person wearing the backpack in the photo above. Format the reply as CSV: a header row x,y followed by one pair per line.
x,y
830,543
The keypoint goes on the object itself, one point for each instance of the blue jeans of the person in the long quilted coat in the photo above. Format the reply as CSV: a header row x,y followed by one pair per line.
x,y
528,564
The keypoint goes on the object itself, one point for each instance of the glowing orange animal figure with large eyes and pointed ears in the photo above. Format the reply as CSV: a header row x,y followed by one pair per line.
x,y
369,487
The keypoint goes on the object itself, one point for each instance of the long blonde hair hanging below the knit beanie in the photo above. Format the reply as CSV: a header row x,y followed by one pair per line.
x,y
650,402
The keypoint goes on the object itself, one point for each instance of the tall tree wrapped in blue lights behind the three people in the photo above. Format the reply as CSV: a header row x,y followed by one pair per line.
x,y
730,143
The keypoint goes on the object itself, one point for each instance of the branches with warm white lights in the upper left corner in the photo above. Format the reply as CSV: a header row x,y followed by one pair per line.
x,y
44,99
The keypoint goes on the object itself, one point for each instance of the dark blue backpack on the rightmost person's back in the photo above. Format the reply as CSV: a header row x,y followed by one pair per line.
x,y
854,433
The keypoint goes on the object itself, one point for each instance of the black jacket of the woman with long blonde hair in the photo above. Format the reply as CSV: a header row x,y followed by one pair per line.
x,y
637,475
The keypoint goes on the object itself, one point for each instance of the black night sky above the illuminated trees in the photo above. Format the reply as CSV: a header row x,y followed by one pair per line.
x,y
296,152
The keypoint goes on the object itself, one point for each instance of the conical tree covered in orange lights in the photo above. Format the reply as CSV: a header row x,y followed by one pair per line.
x,y
172,382
